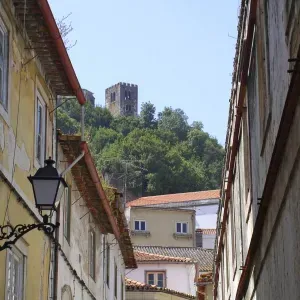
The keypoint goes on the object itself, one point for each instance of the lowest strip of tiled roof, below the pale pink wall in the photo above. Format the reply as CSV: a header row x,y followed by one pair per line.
x,y
132,285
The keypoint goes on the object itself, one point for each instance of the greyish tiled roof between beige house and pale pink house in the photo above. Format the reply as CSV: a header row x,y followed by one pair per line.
x,y
204,257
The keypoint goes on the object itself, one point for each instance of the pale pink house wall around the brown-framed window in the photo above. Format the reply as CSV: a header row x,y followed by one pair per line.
x,y
179,277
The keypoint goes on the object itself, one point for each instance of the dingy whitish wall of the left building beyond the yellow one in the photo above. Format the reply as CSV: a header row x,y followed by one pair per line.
x,y
77,253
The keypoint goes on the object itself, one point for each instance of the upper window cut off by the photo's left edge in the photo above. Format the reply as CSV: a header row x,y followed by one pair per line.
x,y
3,65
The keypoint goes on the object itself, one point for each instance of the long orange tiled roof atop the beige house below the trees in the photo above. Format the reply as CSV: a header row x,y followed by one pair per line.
x,y
174,198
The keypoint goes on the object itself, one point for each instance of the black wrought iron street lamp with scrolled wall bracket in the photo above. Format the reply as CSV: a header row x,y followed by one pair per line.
x,y
45,184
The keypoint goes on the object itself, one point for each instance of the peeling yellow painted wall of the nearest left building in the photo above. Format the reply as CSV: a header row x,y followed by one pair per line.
x,y
17,154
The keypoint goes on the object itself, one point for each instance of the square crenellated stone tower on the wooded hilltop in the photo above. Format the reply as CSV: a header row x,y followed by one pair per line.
x,y
121,99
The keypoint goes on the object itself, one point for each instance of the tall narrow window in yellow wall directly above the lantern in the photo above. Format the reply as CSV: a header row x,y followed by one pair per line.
x,y
40,129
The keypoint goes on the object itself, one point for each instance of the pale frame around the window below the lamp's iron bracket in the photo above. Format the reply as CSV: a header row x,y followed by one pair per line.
x,y
22,257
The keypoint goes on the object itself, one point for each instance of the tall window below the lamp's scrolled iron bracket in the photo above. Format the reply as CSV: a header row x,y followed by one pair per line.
x,y
15,275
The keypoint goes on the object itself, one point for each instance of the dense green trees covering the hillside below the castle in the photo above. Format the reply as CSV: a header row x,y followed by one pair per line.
x,y
148,155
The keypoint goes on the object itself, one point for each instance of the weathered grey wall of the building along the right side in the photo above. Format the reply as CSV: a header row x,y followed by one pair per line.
x,y
251,216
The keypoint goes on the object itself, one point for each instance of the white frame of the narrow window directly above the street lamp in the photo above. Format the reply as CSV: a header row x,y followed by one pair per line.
x,y
40,101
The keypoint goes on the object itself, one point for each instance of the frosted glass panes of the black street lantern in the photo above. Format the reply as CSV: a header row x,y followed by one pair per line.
x,y
45,191
